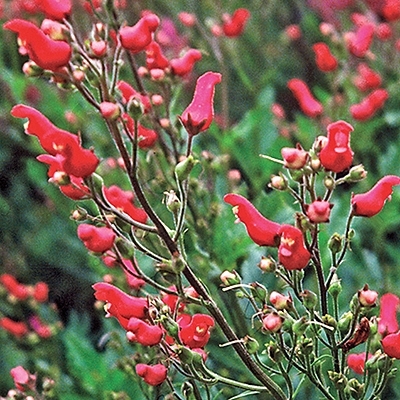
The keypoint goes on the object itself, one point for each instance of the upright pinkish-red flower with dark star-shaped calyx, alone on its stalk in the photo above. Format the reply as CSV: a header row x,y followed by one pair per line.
x,y
200,112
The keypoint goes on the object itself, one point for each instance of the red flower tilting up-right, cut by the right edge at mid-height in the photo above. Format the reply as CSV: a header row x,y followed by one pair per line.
x,y
371,203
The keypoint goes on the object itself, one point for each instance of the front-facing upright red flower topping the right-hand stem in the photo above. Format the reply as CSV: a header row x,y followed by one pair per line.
x,y
337,155
